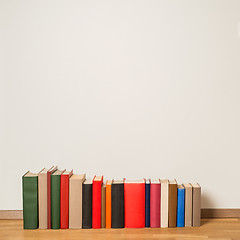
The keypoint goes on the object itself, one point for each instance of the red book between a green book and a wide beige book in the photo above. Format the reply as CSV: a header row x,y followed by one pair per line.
x,y
64,199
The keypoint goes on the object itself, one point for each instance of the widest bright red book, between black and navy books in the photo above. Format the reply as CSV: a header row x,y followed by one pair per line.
x,y
134,201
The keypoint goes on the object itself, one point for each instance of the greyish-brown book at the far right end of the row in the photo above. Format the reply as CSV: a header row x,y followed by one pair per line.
x,y
196,205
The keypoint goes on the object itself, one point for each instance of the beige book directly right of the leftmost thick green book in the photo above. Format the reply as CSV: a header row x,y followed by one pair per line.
x,y
42,198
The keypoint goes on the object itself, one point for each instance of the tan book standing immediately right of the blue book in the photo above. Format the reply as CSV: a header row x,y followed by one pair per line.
x,y
188,204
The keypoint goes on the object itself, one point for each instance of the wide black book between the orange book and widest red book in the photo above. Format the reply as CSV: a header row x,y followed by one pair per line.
x,y
117,196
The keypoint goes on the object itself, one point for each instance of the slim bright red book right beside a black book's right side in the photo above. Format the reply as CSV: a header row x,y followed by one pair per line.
x,y
96,201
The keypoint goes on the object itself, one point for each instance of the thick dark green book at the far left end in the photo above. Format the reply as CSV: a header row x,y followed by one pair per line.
x,y
30,200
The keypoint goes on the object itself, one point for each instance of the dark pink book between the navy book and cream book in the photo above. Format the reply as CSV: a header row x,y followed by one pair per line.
x,y
155,202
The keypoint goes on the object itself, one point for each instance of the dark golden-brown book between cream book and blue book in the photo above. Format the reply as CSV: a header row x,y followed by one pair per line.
x,y
172,205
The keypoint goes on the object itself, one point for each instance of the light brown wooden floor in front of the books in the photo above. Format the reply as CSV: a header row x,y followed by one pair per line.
x,y
217,229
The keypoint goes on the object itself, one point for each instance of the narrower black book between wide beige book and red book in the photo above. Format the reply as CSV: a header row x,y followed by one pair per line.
x,y
87,204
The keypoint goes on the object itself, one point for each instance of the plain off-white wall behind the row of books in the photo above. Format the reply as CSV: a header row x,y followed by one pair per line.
x,y
122,88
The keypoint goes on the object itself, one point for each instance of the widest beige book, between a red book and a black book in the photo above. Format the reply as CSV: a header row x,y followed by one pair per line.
x,y
75,200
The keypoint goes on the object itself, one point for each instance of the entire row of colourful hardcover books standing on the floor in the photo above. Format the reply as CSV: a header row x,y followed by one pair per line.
x,y
56,199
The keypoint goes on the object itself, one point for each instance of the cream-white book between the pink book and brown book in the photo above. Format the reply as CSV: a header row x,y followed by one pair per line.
x,y
164,203
